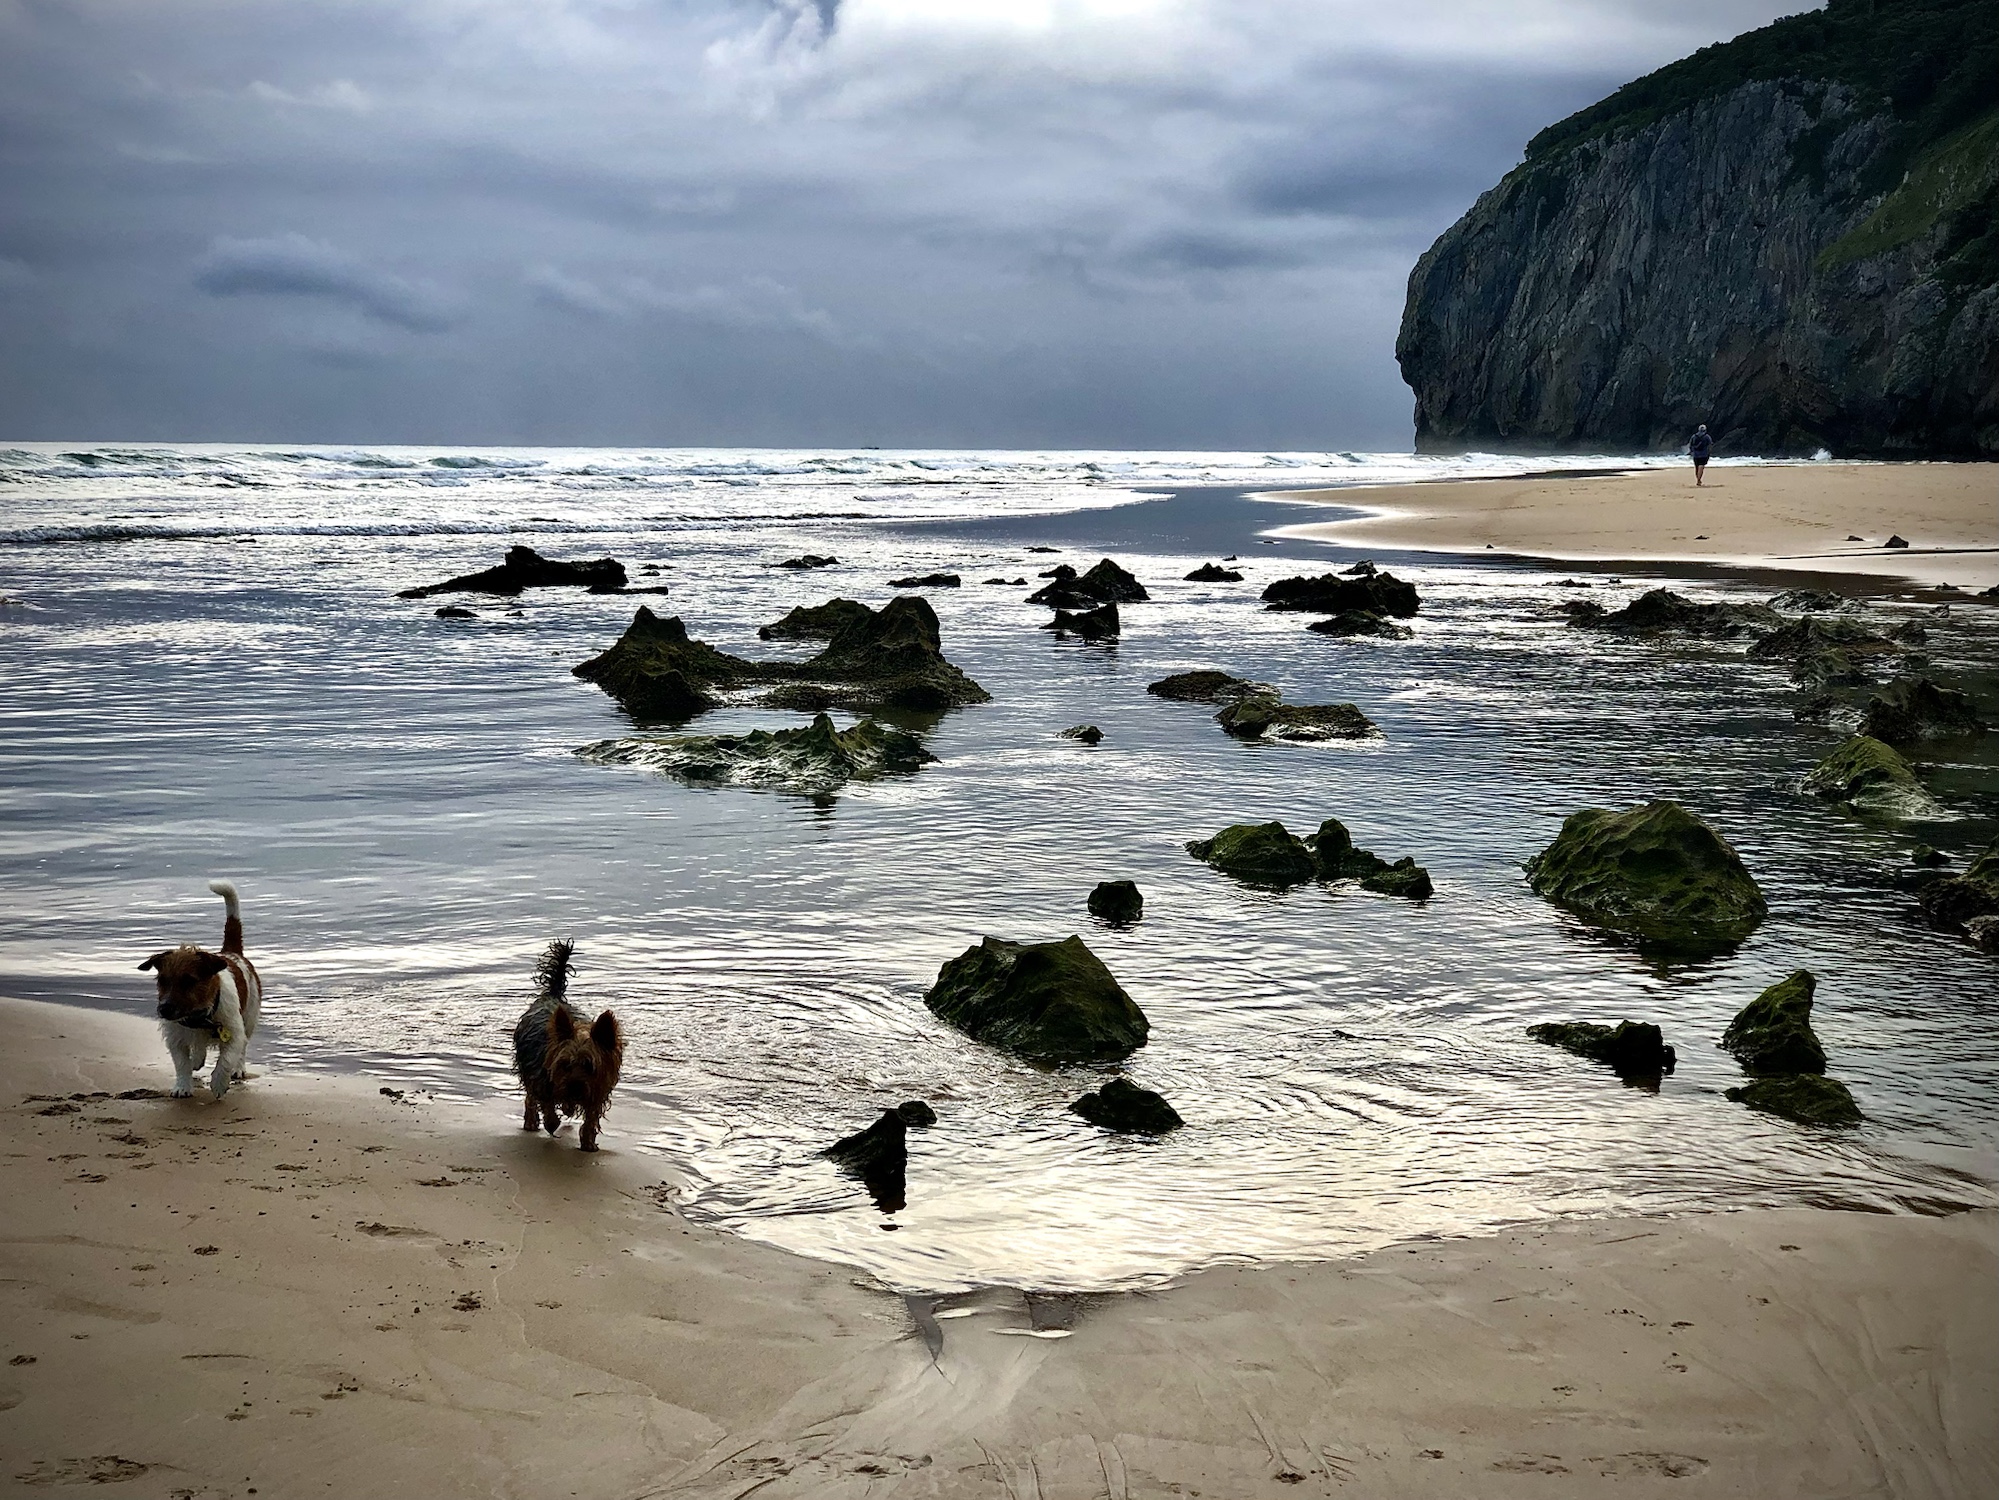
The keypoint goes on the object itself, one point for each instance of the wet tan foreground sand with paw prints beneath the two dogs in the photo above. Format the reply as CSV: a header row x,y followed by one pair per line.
x,y
317,1291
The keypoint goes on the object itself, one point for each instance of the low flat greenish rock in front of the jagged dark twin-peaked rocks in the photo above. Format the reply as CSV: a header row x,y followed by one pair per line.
x,y
815,759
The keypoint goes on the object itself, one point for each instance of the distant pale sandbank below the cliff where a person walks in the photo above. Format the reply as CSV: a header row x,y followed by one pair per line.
x,y
1786,517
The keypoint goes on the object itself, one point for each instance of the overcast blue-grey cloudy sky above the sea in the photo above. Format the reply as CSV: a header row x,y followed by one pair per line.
x,y
791,223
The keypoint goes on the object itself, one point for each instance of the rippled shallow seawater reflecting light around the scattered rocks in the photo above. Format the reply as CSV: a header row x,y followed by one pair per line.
x,y
211,675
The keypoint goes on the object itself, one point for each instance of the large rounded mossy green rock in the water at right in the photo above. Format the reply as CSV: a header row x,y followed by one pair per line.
x,y
1654,873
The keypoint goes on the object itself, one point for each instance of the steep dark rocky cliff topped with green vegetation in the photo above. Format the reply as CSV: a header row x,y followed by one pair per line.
x,y
1792,237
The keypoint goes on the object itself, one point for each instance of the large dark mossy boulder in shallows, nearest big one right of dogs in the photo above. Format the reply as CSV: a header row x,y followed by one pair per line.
x,y
1042,1001
